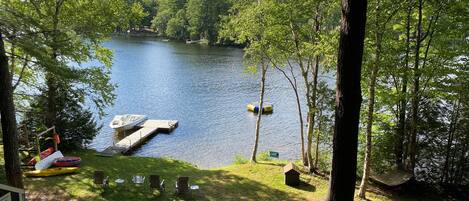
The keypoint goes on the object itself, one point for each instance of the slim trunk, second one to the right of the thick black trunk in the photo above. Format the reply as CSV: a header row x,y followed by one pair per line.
x,y
401,128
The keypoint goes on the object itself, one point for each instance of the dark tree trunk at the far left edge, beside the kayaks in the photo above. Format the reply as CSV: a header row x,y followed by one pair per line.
x,y
8,119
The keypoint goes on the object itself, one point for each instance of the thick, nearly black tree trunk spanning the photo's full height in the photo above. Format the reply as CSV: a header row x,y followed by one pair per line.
x,y
348,101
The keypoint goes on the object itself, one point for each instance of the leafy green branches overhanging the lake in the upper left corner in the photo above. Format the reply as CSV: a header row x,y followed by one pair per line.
x,y
56,42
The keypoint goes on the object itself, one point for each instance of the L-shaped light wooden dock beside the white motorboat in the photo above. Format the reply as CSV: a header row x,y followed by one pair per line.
x,y
137,138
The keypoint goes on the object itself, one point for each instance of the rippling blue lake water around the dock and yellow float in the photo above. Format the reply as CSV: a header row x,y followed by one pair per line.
x,y
206,89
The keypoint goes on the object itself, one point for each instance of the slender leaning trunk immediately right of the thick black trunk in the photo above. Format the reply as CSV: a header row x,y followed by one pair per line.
x,y
371,105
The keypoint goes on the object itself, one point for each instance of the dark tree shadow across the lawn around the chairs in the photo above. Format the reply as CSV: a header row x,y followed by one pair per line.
x,y
214,184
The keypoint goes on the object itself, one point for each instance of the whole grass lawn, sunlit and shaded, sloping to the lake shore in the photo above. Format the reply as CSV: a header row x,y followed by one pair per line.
x,y
263,181
